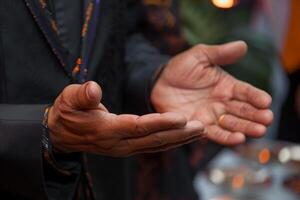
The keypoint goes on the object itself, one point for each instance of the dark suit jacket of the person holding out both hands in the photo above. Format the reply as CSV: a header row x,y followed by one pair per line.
x,y
31,76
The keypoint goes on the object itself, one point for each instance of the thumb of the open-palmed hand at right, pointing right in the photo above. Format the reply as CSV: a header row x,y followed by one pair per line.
x,y
224,54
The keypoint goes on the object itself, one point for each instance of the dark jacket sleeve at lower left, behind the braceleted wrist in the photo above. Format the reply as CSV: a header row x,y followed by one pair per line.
x,y
23,170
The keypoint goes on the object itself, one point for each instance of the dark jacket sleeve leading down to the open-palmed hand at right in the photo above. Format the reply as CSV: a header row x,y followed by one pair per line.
x,y
143,62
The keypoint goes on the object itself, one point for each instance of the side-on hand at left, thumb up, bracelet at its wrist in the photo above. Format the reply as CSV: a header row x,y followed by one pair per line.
x,y
78,122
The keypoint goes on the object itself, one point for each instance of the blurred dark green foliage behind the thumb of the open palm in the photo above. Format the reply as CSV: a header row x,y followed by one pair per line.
x,y
202,22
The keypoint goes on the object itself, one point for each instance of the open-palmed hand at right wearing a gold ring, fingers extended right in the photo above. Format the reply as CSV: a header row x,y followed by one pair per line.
x,y
194,84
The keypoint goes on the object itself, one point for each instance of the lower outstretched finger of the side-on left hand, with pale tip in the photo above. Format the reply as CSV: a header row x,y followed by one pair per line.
x,y
162,139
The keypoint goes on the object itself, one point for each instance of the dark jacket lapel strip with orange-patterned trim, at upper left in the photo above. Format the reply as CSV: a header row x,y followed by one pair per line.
x,y
47,30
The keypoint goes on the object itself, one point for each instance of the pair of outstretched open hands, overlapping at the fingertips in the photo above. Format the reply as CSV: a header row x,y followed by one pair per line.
x,y
194,97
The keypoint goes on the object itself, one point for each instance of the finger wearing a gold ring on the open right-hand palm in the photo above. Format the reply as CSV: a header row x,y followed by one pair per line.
x,y
235,124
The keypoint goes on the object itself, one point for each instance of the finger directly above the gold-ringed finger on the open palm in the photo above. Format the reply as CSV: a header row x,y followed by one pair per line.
x,y
246,111
